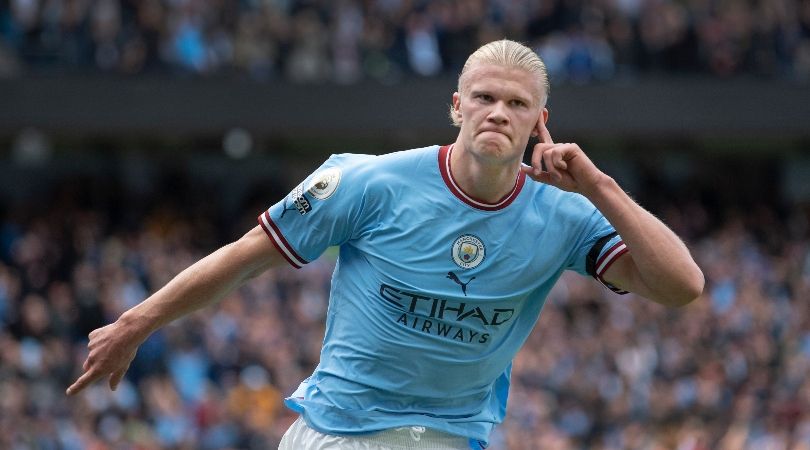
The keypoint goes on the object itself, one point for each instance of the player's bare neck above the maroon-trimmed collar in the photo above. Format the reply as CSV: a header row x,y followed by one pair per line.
x,y
488,181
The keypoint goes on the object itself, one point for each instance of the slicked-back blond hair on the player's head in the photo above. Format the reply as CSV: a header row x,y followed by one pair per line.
x,y
505,53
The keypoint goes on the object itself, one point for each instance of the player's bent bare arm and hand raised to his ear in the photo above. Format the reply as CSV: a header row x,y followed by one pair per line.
x,y
658,265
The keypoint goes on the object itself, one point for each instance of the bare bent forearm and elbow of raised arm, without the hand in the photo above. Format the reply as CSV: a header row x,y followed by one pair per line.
x,y
665,270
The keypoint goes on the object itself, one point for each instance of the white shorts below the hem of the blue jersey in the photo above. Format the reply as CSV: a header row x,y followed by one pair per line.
x,y
302,437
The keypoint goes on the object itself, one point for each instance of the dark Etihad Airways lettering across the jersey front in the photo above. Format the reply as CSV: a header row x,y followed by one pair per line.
x,y
442,317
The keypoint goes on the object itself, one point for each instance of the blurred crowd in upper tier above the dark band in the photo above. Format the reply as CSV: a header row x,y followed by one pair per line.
x,y
349,40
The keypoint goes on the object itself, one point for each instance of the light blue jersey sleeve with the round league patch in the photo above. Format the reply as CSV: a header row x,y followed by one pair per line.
x,y
320,212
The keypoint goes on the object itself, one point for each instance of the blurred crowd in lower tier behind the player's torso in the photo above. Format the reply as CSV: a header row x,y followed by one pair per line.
x,y
600,371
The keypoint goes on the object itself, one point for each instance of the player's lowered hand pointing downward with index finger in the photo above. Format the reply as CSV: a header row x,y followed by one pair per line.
x,y
112,349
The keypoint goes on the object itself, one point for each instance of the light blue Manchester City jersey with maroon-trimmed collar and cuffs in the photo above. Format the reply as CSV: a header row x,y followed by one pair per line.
x,y
434,292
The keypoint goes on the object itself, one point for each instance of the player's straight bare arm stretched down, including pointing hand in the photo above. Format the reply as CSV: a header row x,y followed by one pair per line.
x,y
210,279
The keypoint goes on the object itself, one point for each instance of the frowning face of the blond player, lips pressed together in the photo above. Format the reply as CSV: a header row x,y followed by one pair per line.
x,y
500,108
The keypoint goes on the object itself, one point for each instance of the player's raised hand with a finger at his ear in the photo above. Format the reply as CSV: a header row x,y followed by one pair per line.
x,y
566,165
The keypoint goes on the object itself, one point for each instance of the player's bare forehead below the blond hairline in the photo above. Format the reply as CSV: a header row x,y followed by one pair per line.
x,y
508,80
